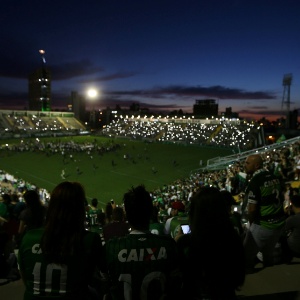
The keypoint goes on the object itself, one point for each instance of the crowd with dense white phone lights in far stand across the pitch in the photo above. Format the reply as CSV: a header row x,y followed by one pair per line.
x,y
242,135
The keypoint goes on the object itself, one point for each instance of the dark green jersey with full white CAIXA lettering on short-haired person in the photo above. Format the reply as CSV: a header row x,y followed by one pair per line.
x,y
139,264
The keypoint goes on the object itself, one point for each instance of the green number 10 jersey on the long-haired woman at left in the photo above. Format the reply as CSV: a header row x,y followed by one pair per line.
x,y
45,280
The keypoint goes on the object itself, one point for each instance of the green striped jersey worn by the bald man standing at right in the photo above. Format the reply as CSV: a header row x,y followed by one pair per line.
x,y
265,191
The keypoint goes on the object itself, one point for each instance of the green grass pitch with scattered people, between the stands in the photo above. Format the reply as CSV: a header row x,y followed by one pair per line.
x,y
106,181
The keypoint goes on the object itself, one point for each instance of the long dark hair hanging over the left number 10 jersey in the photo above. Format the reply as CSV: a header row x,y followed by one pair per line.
x,y
65,219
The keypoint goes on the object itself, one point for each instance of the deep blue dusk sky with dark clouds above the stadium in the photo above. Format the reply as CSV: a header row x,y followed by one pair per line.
x,y
161,54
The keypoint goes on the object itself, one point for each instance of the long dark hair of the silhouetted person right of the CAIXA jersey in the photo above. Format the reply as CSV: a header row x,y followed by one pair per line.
x,y
215,246
